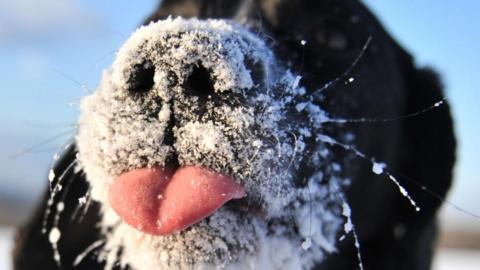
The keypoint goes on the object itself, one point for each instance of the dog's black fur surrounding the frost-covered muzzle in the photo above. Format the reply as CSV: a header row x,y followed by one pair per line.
x,y
387,83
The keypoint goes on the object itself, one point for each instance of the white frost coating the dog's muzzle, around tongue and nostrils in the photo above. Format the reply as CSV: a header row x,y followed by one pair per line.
x,y
254,125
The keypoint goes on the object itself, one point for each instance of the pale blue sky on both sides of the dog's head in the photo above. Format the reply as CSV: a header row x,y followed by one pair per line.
x,y
49,50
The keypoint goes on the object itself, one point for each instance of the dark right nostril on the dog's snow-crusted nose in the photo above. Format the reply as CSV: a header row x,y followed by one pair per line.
x,y
199,83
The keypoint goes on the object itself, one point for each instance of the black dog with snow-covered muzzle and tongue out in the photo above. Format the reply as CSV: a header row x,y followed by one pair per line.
x,y
250,134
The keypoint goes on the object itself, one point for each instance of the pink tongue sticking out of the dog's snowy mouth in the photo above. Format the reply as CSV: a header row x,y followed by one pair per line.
x,y
162,201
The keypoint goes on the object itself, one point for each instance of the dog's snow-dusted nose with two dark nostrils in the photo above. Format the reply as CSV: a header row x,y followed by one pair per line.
x,y
205,59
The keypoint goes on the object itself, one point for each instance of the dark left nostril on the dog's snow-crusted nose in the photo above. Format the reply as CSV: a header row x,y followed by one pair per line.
x,y
141,78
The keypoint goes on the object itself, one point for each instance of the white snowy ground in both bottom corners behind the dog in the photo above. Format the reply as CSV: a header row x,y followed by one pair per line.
x,y
447,259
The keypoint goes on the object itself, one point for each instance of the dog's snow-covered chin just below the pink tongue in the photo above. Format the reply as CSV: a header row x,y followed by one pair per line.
x,y
219,241
